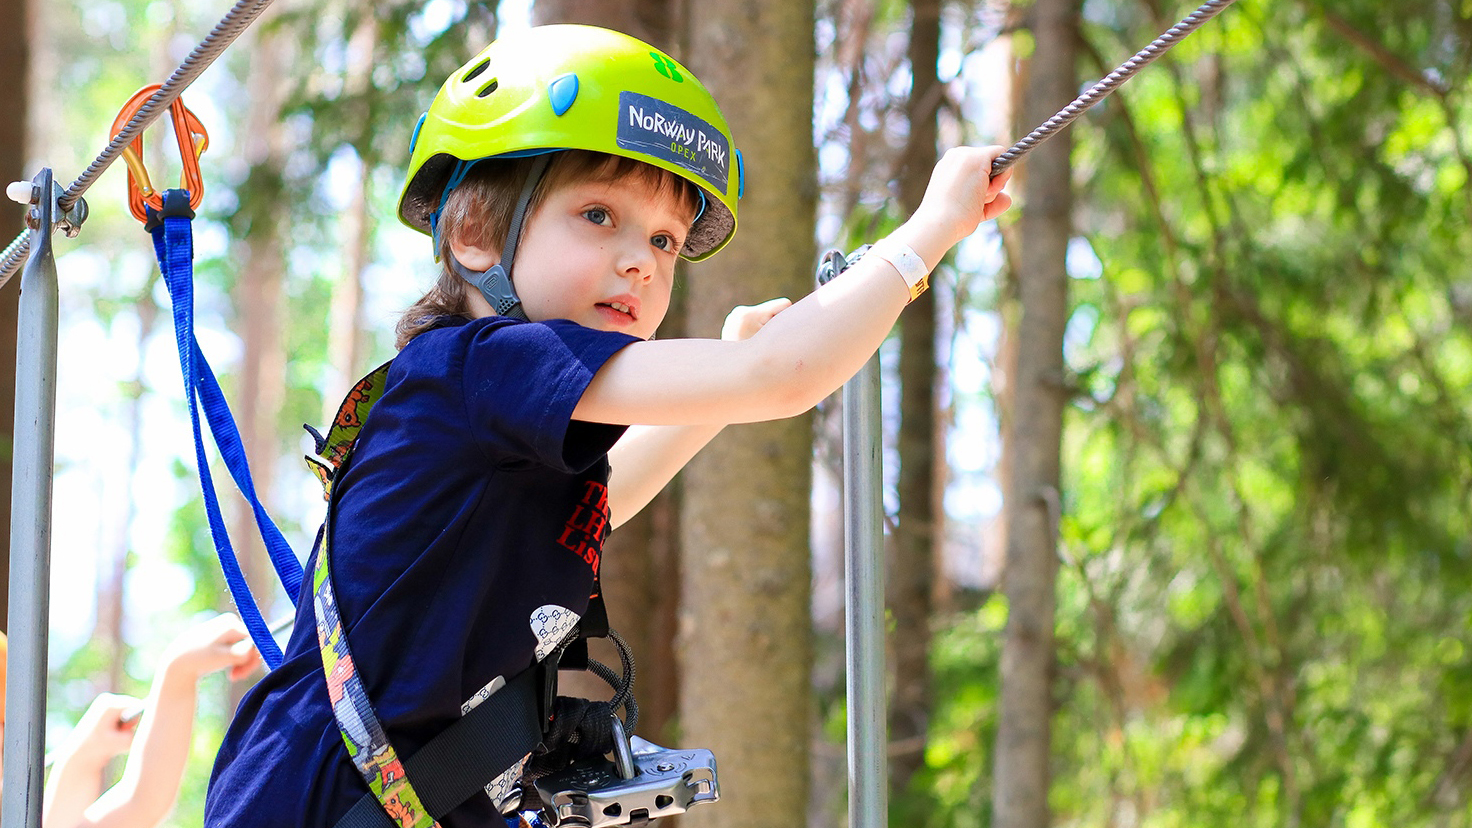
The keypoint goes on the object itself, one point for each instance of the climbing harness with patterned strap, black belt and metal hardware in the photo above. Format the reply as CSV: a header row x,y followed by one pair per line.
x,y
567,782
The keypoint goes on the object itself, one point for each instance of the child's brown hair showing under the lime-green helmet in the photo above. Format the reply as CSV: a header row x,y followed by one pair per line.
x,y
479,214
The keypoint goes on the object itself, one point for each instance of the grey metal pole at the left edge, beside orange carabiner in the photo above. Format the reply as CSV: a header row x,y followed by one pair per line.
x,y
32,516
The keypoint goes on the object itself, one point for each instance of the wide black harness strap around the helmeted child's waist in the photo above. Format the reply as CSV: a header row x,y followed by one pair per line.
x,y
469,755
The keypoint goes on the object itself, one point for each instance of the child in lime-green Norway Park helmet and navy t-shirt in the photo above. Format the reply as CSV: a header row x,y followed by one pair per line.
x,y
466,531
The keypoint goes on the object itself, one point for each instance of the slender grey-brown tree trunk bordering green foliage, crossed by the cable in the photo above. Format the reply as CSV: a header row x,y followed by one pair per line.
x,y
1024,740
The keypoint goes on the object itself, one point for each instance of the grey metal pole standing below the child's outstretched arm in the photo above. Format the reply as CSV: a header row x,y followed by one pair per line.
x,y
865,593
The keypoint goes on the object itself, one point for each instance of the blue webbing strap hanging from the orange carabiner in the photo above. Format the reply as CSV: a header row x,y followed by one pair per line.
x,y
174,244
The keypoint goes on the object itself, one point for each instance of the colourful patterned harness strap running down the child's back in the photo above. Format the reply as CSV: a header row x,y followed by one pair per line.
x,y
367,743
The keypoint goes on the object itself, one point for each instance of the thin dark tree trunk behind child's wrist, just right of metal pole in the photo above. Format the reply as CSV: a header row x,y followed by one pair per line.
x,y
912,572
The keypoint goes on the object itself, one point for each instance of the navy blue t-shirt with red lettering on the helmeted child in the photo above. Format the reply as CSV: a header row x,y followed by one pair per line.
x,y
467,536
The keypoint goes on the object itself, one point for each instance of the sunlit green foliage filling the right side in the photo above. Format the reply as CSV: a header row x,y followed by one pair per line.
x,y
1268,465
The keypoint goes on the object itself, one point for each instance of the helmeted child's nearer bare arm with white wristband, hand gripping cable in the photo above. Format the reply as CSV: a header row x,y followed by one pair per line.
x,y
810,350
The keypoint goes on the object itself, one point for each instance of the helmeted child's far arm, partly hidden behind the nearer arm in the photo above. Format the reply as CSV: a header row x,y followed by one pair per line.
x,y
648,457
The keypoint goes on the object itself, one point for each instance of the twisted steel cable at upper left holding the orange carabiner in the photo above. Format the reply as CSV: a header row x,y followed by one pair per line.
x,y
226,32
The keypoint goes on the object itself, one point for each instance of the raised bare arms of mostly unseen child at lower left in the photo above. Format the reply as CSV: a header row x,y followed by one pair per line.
x,y
160,739
